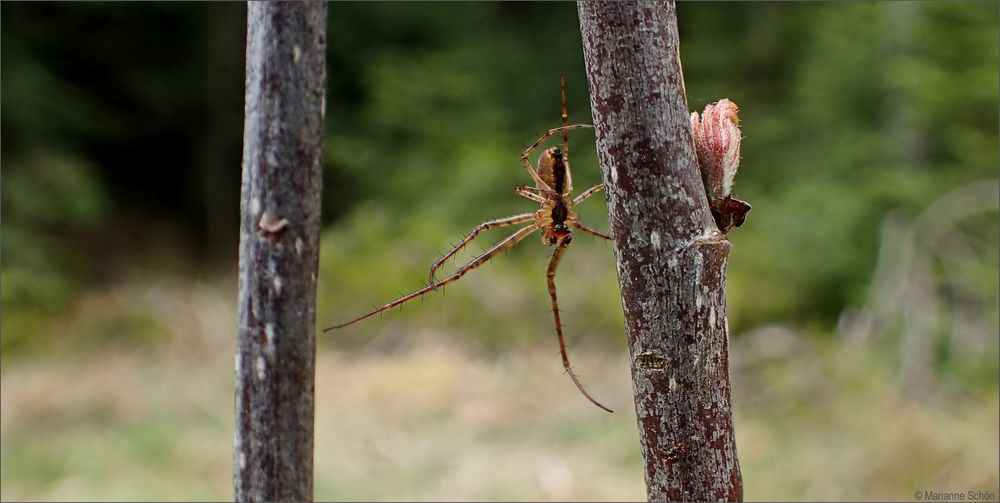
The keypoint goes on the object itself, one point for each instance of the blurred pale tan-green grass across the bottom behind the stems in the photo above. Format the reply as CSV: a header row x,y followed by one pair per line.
x,y
433,417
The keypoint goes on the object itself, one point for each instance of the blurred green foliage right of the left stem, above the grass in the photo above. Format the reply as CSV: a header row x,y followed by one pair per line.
x,y
850,112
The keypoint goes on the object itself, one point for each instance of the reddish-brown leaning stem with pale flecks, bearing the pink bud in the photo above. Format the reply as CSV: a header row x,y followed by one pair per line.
x,y
671,256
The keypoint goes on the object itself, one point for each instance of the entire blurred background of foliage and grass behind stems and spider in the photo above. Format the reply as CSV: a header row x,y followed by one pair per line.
x,y
863,289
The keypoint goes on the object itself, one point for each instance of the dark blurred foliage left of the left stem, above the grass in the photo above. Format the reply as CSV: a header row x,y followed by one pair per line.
x,y
120,150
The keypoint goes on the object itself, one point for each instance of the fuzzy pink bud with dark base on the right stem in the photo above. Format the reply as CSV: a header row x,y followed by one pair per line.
x,y
717,142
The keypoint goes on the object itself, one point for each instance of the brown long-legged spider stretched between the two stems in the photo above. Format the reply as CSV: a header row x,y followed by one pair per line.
x,y
553,190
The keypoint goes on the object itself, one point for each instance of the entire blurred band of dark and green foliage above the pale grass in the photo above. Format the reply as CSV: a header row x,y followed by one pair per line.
x,y
130,139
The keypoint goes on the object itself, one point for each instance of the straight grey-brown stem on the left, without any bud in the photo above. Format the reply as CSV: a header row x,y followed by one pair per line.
x,y
279,244
